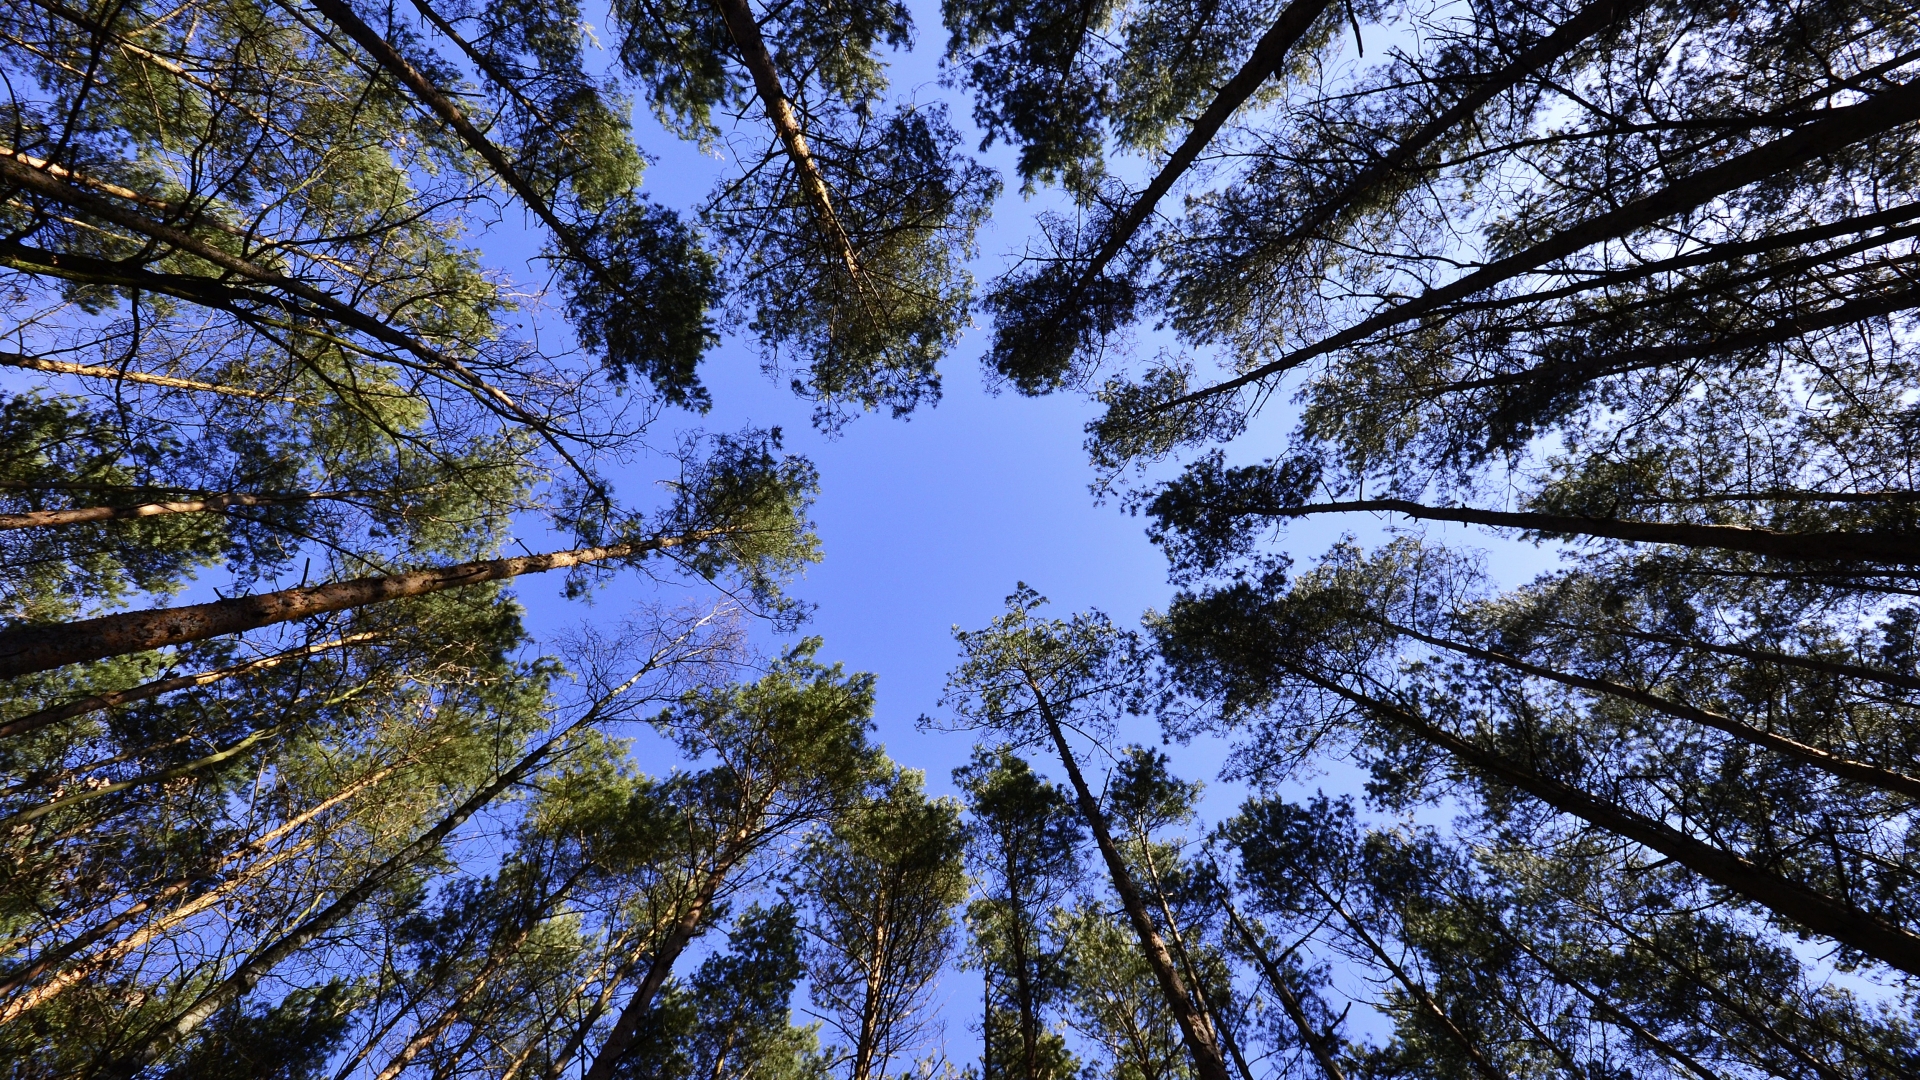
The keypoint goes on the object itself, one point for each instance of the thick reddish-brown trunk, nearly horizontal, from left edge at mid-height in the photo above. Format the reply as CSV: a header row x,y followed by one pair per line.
x,y
39,649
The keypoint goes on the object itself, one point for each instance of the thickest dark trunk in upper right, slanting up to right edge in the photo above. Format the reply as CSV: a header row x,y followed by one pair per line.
x,y
1836,130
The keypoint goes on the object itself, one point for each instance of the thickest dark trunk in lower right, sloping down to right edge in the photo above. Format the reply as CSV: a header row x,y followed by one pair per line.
x,y
1790,900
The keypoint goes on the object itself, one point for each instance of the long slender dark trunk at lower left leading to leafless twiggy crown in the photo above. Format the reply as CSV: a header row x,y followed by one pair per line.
x,y
256,968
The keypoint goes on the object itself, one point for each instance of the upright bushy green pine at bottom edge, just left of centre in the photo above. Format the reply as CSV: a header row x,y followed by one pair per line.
x,y
882,889
